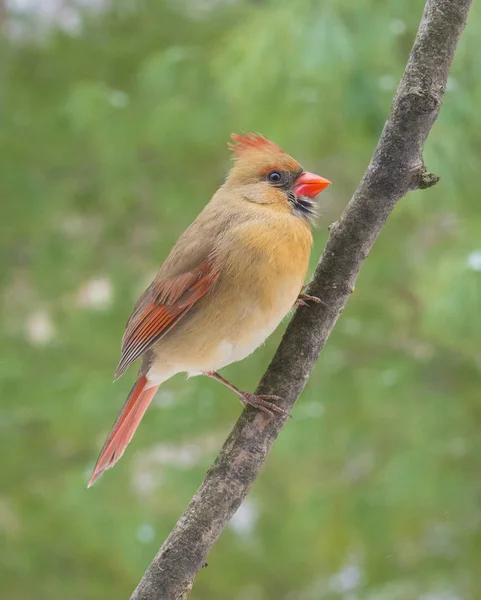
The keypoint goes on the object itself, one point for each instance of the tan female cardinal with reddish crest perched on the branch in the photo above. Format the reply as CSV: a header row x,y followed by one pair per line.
x,y
227,283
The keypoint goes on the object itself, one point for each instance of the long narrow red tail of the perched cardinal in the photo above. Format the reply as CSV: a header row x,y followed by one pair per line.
x,y
124,427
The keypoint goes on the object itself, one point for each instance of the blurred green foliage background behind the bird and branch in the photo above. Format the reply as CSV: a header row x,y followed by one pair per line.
x,y
114,122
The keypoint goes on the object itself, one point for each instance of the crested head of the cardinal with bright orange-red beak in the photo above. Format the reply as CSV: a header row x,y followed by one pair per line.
x,y
263,173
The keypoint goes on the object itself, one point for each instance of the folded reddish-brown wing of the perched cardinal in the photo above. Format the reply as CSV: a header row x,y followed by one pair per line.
x,y
161,307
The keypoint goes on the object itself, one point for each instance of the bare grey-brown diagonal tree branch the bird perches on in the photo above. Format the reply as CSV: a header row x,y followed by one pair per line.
x,y
396,167
